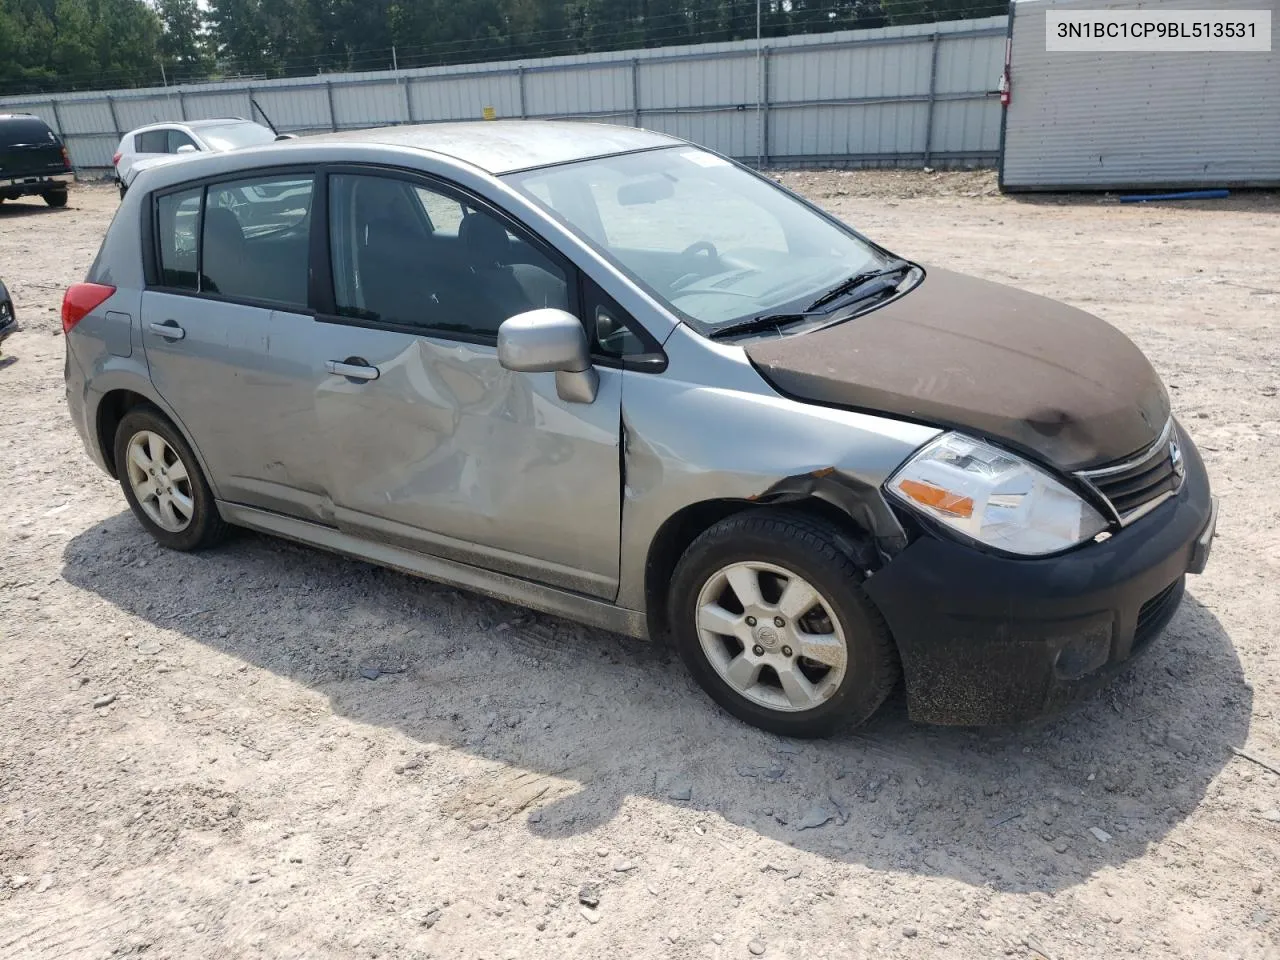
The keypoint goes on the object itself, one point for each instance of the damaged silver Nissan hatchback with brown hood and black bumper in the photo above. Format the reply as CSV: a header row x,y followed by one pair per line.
x,y
618,378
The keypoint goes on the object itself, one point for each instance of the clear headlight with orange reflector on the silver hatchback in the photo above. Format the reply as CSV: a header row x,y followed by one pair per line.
x,y
994,497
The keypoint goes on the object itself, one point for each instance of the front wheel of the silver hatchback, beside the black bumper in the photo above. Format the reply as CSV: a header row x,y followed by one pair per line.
x,y
780,547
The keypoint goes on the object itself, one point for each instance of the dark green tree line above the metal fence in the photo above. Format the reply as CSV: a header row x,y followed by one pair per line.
x,y
58,45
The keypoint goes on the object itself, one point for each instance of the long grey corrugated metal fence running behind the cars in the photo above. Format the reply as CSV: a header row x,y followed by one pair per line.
x,y
892,97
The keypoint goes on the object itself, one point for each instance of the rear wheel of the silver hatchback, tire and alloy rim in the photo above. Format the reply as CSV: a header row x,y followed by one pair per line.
x,y
191,520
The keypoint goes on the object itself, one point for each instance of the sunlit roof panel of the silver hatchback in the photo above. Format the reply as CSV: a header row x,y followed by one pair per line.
x,y
502,147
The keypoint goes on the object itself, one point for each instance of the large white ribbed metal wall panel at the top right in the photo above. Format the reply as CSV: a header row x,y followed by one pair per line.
x,y
1140,121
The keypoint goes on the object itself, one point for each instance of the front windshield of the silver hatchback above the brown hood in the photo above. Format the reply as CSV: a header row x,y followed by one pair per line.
x,y
710,239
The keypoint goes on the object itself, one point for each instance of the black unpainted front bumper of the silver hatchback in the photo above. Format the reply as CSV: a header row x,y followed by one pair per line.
x,y
988,639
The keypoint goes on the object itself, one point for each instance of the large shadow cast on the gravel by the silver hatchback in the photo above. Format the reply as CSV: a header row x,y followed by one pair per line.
x,y
580,720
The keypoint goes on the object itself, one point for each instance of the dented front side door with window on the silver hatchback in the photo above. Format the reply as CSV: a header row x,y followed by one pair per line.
x,y
431,442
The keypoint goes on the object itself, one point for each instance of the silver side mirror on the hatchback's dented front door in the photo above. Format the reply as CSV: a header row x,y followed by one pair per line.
x,y
551,341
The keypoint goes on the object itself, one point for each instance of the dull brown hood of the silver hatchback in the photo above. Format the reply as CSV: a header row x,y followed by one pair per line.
x,y
1025,371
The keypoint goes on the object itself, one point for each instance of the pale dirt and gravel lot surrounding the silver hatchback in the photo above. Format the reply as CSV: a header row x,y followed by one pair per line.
x,y
248,793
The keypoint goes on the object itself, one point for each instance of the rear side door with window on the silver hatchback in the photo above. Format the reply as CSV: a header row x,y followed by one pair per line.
x,y
231,342
